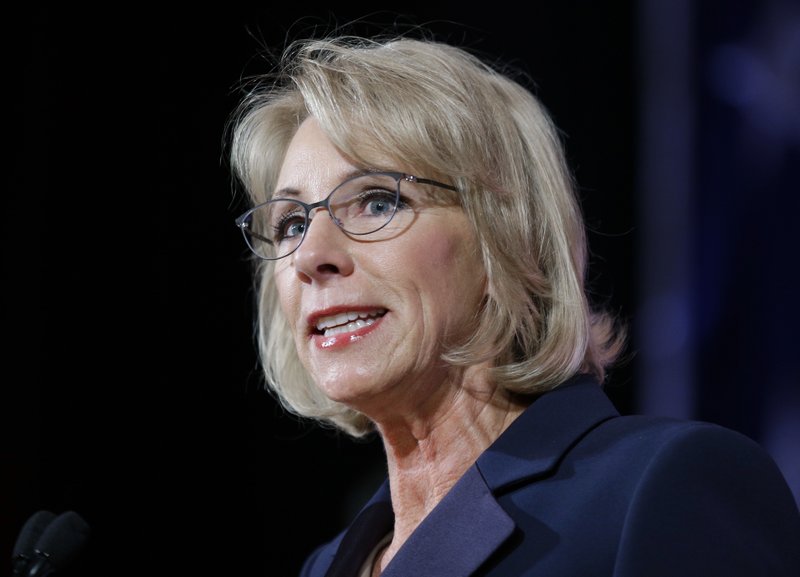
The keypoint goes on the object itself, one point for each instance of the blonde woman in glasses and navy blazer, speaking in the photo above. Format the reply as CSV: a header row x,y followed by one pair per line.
x,y
421,259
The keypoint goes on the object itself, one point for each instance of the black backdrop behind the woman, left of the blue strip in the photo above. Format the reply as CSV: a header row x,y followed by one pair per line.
x,y
130,385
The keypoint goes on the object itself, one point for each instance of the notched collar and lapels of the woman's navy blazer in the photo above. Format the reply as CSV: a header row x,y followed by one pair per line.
x,y
468,524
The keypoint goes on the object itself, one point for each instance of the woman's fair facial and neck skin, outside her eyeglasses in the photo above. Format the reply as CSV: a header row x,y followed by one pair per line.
x,y
422,287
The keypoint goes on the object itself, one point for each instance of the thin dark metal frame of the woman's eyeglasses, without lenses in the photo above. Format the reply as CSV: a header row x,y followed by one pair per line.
x,y
242,220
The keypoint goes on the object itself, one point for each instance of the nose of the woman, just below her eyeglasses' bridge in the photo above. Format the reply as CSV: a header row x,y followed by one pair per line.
x,y
323,254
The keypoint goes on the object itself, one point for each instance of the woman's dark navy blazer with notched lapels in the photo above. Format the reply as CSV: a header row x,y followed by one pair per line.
x,y
573,489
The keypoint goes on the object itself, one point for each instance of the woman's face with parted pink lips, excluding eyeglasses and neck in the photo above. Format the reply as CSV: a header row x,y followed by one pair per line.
x,y
396,303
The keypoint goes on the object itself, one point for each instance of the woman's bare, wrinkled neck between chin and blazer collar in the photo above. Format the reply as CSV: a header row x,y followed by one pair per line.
x,y
429,449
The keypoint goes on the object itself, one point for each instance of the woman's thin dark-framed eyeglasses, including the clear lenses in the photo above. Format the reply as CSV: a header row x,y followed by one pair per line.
x,y
361,205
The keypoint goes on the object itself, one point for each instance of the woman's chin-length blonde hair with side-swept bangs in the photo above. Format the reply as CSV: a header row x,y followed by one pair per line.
x,y
444,113
